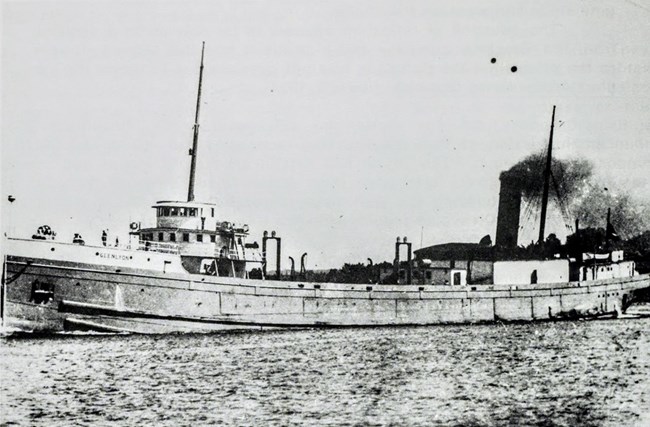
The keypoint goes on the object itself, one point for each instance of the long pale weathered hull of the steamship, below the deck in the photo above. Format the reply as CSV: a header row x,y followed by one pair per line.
x,y
46,295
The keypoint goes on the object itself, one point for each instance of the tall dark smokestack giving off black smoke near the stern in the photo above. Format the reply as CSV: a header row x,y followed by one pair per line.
x,y
509,210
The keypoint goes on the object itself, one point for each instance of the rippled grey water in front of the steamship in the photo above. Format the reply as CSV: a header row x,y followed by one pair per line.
x,y
573,373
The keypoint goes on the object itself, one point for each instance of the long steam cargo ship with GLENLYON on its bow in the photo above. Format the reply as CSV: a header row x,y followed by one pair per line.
x,y
191,272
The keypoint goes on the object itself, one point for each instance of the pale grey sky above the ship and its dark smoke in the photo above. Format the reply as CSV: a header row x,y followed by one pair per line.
x,y
339,124
